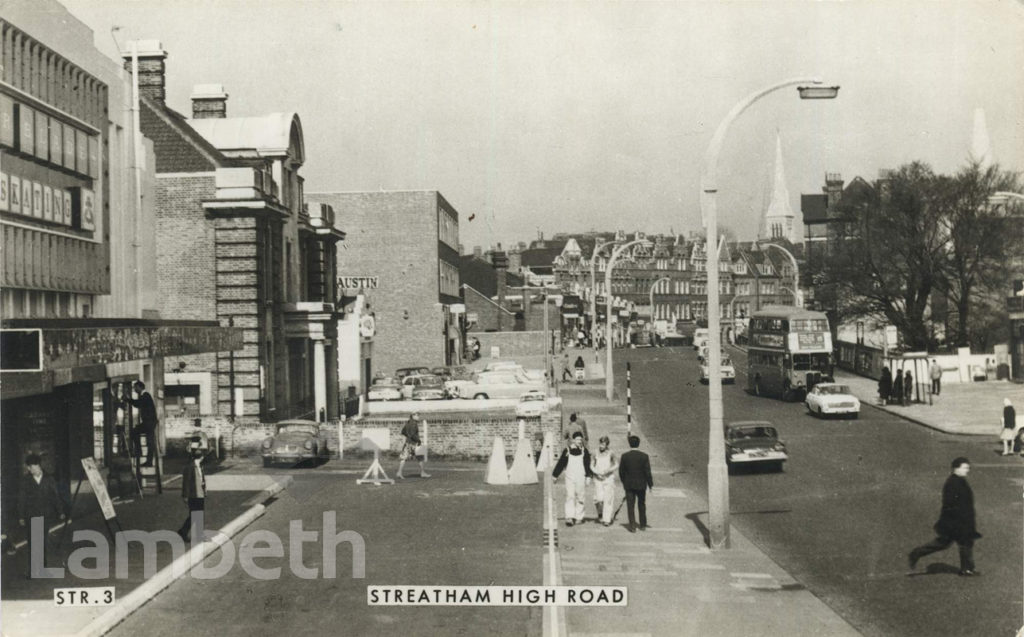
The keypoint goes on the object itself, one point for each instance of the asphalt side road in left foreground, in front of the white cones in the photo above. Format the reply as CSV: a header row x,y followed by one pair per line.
x,y
450,530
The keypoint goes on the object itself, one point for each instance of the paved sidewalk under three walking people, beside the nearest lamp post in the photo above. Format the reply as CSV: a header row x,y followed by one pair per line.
x,y
677,586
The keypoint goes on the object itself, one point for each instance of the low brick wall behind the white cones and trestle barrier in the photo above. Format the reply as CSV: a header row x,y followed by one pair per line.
x,y
462,436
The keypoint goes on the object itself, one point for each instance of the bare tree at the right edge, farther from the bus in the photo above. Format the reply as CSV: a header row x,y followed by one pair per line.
x,y
983,243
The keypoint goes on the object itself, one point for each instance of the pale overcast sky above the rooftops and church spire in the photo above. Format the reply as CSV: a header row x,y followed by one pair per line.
x,y
576,116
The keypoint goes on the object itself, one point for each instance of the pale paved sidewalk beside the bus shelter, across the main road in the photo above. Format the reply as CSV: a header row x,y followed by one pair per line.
x,y
973,409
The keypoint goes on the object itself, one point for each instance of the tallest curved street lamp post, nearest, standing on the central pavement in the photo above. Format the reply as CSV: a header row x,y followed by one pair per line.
x,y
718,473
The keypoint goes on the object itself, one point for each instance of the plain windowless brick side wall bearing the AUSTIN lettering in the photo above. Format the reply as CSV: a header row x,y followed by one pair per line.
x,y
395,237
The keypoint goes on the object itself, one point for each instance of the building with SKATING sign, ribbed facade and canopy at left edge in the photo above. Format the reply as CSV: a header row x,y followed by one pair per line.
x,y
79,296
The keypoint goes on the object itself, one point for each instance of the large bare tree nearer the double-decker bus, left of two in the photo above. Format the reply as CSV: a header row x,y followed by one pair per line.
x,y
890,251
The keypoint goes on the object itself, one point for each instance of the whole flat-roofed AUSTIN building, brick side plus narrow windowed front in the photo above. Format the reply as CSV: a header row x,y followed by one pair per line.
x,y
402,256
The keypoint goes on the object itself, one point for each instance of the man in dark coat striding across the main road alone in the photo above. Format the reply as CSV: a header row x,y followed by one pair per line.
x,y
956,522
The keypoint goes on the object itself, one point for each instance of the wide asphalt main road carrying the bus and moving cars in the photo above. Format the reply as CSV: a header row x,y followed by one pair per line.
x,y
855,498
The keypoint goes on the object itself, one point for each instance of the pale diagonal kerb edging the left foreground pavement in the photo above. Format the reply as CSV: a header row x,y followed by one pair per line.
x,y
168,575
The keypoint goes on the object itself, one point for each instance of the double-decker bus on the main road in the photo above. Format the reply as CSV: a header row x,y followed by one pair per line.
x,y
790,352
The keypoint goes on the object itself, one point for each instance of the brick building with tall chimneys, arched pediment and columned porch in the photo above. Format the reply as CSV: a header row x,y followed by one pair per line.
x,y
239,247
